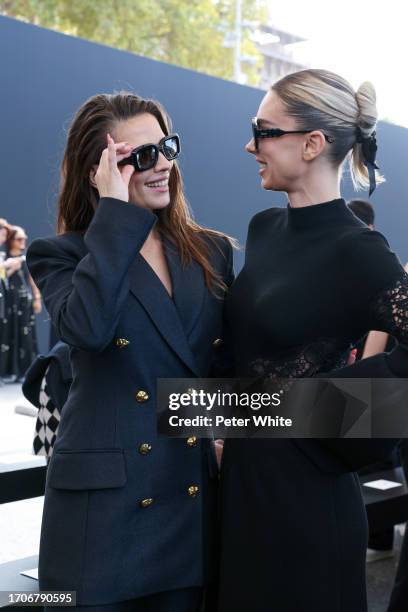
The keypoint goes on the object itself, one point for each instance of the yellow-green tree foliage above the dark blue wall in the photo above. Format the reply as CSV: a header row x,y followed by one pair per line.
x,y
189,33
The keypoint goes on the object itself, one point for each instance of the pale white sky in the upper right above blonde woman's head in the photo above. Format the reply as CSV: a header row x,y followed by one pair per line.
x,y
360,40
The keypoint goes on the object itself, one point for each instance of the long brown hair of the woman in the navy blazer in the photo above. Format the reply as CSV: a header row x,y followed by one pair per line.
x,y
78,199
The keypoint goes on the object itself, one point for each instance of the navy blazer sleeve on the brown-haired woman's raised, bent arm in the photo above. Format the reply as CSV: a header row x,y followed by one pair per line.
x,y
84,295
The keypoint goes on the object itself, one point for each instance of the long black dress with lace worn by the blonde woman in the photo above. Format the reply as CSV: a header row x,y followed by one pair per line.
x,y
293,530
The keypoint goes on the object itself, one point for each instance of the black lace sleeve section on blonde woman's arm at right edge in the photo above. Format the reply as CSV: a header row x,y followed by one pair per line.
x,y
389,311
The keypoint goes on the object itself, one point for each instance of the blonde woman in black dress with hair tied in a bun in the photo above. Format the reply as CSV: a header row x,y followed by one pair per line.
x,y
315,280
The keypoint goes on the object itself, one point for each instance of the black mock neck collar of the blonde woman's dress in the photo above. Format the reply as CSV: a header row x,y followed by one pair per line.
x,y
318,215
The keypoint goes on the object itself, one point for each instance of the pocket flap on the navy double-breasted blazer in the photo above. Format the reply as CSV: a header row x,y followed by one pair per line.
x,y
87,469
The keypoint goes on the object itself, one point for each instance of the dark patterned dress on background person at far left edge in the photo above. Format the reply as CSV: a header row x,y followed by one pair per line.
x,y
20,339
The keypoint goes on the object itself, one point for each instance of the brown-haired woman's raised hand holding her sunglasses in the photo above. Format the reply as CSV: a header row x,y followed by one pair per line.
x,y
110,181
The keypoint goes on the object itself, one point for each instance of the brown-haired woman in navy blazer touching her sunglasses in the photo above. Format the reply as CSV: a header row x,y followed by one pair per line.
x,y
135,287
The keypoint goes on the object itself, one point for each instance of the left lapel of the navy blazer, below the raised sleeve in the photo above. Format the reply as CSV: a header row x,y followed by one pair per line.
x,y
149,290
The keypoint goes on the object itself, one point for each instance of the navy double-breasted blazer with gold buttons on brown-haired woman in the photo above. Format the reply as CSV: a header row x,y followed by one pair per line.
x,y
126,513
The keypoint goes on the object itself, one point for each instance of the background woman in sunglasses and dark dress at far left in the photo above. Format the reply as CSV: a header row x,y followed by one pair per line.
x,y
23,303
